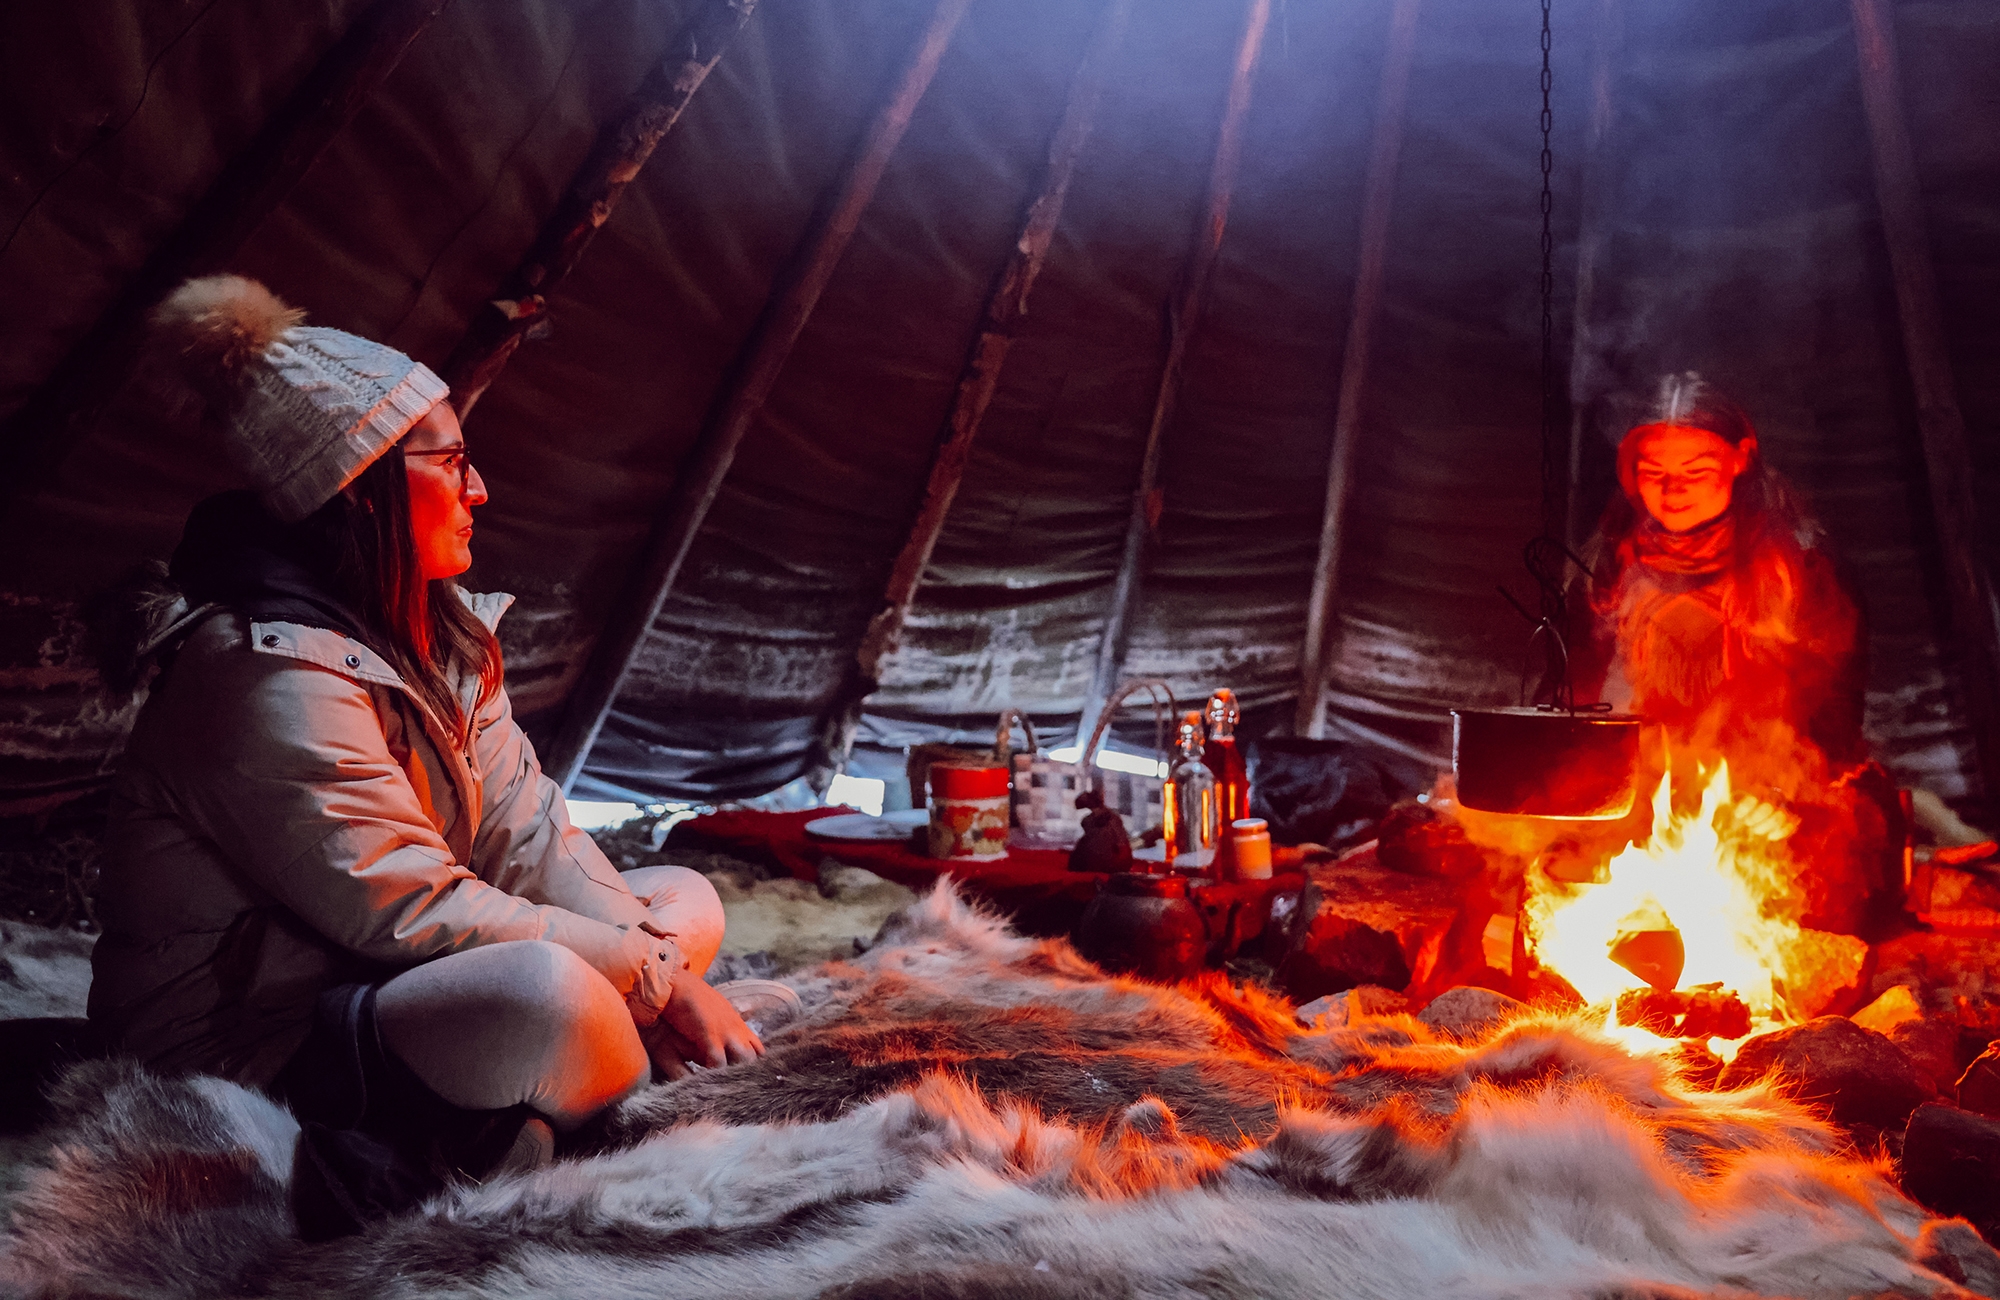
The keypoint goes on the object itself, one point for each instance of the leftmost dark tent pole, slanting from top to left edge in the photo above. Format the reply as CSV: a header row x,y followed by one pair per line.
x,y
245,193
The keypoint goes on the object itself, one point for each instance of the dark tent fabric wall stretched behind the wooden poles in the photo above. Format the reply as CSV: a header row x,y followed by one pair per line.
x,y
1741,237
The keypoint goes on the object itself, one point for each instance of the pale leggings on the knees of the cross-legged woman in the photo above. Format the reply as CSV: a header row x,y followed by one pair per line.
x,y
531,1021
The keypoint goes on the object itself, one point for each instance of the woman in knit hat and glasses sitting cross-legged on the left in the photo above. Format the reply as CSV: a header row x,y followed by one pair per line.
x,y
335,867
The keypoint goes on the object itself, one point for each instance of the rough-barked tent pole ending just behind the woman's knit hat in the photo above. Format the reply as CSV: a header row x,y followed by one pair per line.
x,y
621,151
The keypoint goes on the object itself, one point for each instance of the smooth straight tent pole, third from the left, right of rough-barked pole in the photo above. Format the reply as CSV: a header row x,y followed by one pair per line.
x,y
739,405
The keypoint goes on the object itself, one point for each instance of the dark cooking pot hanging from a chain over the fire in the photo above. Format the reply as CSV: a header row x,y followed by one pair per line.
x,y
1547,761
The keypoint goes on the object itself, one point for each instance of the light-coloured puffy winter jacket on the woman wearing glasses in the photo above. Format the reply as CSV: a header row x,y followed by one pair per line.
x,y
291,817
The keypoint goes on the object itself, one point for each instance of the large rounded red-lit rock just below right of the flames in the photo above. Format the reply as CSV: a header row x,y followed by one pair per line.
x,y
1859,1075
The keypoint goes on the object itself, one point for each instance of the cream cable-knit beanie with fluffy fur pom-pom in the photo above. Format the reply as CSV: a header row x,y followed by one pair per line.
x,y
303,409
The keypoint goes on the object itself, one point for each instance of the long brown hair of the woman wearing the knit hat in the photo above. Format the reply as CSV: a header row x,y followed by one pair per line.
x,y
423,629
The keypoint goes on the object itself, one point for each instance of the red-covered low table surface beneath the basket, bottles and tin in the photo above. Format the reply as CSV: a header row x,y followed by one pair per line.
x,y
1035,887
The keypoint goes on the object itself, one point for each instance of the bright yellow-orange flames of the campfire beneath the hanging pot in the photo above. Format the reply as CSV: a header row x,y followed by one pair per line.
x,y
1709,881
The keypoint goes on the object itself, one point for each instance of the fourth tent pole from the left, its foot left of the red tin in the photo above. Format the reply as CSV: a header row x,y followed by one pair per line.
x,y
1007,311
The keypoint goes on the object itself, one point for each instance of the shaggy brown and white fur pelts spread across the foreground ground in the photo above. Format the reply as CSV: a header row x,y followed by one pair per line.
x,y
971,1115
